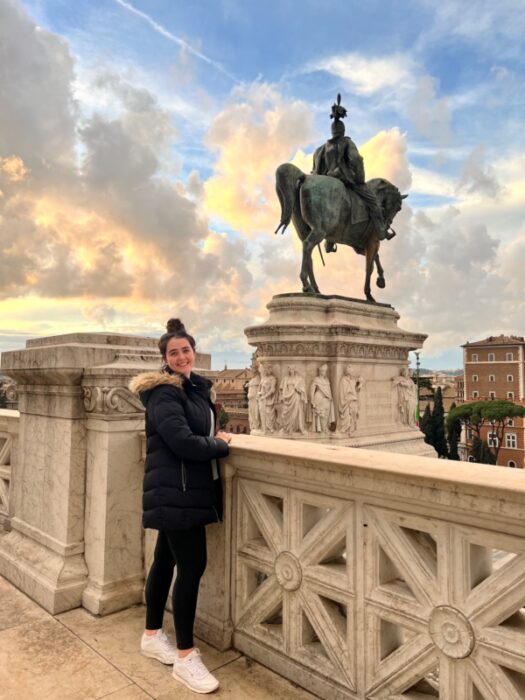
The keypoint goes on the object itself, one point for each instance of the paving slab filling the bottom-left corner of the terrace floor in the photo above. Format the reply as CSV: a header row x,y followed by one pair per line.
x,y
45,661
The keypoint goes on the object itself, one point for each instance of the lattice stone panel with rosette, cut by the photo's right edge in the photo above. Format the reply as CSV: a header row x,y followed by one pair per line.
x,y
444,610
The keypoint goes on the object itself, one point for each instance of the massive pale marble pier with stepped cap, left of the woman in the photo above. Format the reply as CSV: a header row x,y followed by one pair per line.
x,y
64,458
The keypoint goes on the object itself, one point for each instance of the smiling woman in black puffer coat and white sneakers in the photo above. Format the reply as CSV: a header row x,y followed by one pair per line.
x,y
182,494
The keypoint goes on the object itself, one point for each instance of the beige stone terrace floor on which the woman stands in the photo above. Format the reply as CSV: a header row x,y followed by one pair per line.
x,y
78,656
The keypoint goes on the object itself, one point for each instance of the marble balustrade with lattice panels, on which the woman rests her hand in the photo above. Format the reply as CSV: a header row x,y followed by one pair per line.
x,y
362,575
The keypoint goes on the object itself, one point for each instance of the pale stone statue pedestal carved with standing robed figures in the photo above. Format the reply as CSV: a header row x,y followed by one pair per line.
x,y
352,338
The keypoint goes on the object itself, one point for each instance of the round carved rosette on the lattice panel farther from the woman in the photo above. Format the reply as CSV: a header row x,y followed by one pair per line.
x,y
451,632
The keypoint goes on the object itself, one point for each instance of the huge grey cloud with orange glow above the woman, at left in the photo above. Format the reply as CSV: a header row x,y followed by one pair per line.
x,y
91,211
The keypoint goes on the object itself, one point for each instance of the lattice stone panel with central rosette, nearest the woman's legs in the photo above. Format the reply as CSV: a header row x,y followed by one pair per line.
x,y
295,581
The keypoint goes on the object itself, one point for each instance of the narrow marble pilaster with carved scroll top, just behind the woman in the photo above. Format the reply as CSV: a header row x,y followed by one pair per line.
x,y
114,472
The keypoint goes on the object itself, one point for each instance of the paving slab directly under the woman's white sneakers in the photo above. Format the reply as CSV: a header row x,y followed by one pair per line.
x,y
117,638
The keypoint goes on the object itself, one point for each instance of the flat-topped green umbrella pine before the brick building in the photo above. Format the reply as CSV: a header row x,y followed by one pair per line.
x,y
494,415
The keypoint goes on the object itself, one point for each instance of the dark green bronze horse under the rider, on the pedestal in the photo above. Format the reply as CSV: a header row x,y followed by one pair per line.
x,y
321,208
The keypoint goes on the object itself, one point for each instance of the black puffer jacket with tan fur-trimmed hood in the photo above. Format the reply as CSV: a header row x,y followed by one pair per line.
x,y
179,489
